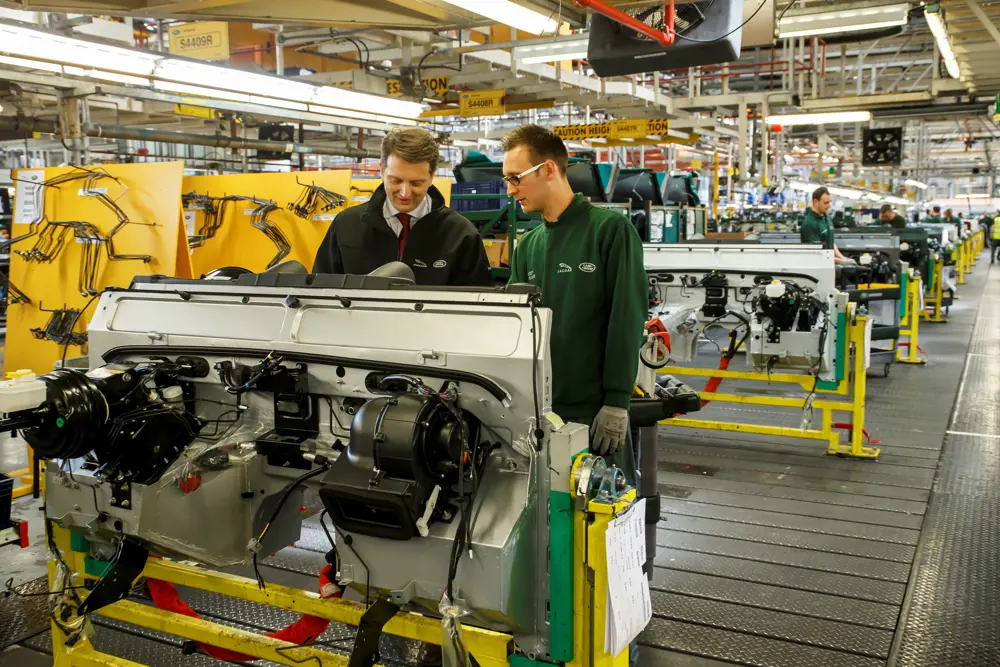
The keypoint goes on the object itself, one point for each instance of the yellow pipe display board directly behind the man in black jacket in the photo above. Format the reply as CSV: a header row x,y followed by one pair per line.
x,y
236,243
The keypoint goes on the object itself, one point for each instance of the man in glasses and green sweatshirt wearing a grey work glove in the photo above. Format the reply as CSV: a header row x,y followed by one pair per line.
x,y
588,263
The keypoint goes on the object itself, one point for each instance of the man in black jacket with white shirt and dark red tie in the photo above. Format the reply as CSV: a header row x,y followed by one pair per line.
x,y
406,220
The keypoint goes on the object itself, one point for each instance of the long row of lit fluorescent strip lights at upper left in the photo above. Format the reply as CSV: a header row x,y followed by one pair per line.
x,y
78,57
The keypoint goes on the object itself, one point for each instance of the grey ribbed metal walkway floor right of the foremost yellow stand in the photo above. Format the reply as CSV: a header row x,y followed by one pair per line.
x,y
772,554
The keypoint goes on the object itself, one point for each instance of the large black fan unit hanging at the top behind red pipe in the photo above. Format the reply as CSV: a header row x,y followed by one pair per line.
x,y
707,32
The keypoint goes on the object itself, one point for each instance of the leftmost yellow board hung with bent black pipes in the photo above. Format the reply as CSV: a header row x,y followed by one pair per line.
x,y
147,193
